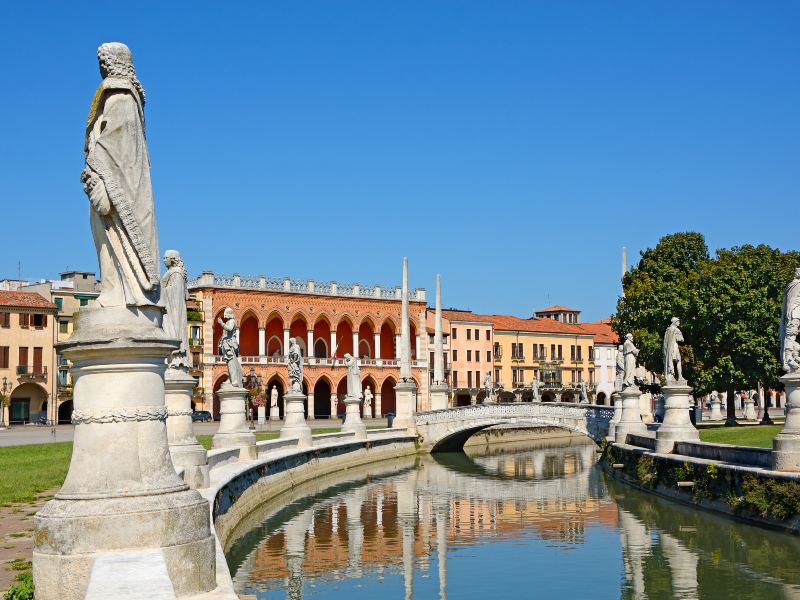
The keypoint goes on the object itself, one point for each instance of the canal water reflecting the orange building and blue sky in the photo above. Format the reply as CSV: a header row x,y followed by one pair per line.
x,y
538,520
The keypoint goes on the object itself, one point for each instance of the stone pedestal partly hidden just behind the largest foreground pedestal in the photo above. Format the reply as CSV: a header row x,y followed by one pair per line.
x,y
184,449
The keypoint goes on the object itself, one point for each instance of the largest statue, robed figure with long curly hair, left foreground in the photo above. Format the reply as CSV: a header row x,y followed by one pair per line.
x,y
116,179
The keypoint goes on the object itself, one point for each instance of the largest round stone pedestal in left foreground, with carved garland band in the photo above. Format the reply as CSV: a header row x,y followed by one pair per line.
x,y
121,491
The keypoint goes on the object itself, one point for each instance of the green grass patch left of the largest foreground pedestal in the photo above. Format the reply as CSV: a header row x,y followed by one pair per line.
x,y
26,471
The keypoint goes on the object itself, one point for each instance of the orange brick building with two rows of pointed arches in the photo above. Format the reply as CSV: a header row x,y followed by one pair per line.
x,y
328,319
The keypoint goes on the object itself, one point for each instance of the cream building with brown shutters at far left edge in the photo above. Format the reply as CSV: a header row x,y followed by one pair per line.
x,y
27,357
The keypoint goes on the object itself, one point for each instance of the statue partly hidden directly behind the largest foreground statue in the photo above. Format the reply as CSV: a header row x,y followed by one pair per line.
x,y
174,294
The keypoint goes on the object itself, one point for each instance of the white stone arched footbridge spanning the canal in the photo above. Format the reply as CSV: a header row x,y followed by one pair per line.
x,y
448,429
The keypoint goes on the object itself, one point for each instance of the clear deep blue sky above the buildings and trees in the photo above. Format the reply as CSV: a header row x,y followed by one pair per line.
x,y
512,146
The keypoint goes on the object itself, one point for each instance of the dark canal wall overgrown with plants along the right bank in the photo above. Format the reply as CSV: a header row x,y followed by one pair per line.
x,y
748,493
